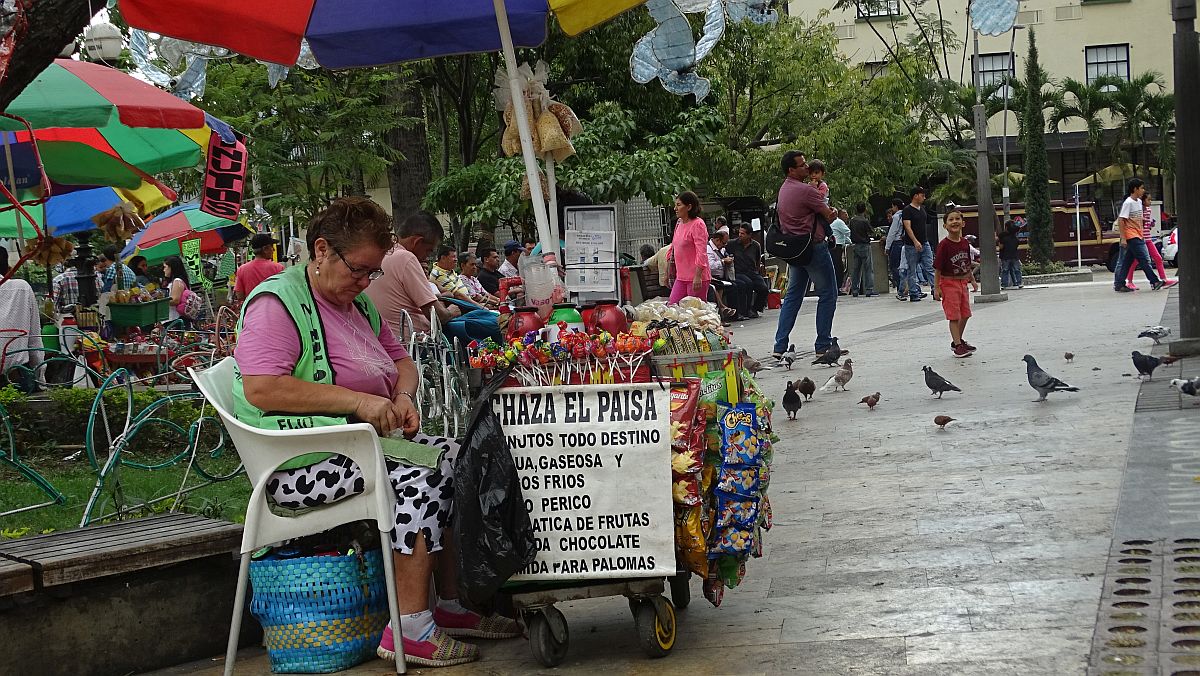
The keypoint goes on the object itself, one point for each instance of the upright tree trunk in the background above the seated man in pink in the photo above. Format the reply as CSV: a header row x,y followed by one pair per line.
x,y
409,178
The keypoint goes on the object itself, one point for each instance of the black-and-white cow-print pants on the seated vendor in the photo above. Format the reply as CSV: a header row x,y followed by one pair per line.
x,y
424,496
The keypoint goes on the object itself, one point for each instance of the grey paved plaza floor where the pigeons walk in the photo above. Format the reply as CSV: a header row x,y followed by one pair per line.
x,y
993,547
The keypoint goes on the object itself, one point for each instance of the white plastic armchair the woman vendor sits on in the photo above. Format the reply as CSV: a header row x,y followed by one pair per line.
x,y
263,451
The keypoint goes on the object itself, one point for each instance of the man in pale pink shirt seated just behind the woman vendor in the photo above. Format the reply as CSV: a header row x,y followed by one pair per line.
x,y
405,285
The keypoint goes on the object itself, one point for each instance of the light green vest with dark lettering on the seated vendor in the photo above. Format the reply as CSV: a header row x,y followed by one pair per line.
x,y
293,290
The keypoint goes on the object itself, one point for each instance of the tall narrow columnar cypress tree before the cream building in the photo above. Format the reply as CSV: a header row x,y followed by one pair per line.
x,y
1037,166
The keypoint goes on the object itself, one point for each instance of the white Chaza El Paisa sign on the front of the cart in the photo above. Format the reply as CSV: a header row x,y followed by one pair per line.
x,y
595,464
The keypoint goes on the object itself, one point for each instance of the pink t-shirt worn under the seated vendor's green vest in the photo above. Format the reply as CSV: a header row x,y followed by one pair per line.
x,y
271,346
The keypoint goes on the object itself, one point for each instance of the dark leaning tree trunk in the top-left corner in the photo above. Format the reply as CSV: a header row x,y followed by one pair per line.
x,y
52,26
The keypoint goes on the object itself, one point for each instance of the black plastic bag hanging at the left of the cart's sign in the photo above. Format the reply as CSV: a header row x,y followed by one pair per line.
x,y
493,530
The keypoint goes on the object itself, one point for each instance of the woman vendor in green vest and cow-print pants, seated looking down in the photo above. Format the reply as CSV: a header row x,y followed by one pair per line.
x,y
314,351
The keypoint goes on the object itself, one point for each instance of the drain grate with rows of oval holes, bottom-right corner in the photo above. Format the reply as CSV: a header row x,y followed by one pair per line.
x,y
1150,609
